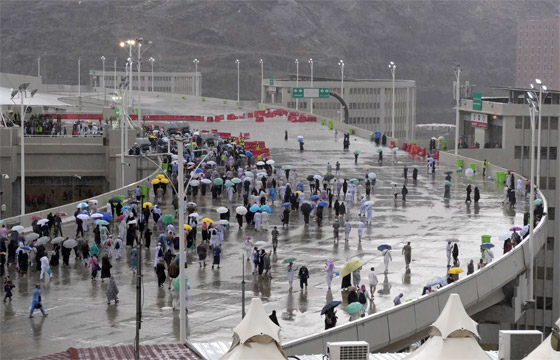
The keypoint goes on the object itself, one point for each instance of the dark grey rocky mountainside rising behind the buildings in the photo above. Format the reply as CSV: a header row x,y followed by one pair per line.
x,y
425,38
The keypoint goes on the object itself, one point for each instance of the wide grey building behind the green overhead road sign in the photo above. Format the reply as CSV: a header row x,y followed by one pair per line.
x,y
369,102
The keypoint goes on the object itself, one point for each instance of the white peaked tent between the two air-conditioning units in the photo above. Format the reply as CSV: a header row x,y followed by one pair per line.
x,y
454,336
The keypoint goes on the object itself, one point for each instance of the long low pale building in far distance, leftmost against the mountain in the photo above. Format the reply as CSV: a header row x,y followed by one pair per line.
x,y
189,83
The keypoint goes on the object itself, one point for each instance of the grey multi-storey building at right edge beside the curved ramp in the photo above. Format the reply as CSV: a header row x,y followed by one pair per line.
x,y
505,126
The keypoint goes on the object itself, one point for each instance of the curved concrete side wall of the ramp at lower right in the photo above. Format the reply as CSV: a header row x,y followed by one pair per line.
x,y
395,328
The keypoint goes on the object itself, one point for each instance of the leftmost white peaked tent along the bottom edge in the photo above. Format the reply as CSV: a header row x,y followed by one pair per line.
x,y
255,335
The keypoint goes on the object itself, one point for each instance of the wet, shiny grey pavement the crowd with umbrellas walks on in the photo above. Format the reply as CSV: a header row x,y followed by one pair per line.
x,y
80,317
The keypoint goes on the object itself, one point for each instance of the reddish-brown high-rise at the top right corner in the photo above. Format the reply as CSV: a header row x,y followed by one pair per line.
x,y
538,52
